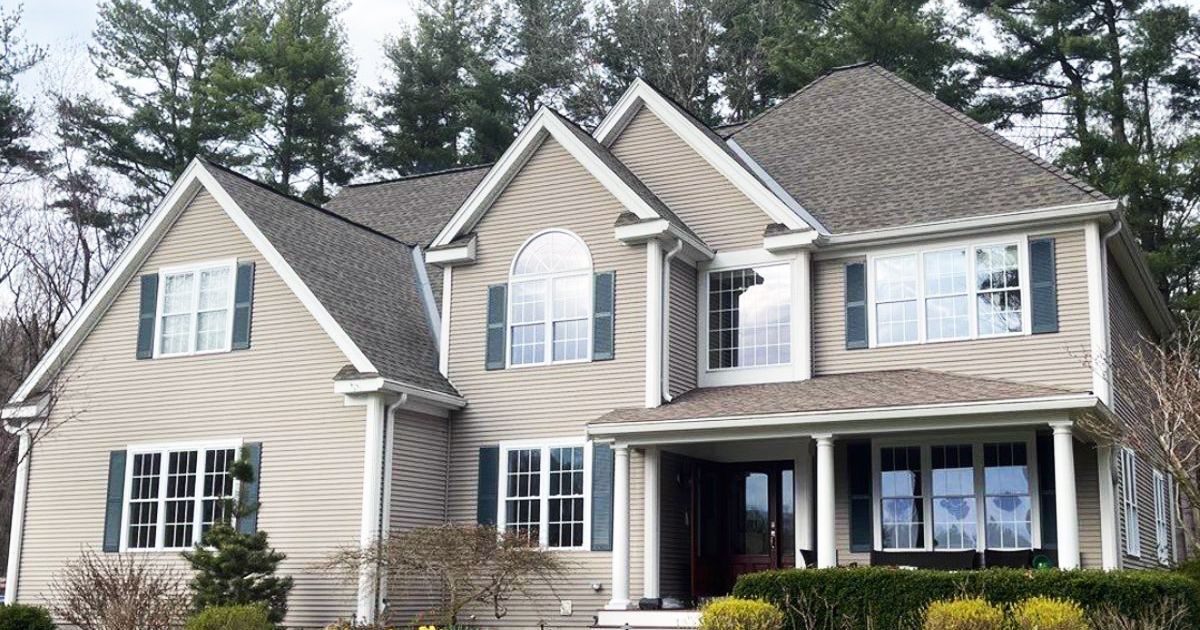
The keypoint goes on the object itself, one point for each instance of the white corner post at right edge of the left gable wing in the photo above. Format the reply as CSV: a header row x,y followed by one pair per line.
x,y
373,501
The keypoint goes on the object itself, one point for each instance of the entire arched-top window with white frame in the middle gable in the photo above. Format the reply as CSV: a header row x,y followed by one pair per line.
x,y
550,301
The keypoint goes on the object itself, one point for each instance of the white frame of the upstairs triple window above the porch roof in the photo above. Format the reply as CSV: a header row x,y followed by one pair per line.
x,y
970,247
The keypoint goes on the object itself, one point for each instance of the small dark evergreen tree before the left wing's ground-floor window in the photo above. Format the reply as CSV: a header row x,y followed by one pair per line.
x,y
235,568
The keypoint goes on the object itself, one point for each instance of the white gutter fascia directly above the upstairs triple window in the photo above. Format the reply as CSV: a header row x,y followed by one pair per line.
x,y
1105,209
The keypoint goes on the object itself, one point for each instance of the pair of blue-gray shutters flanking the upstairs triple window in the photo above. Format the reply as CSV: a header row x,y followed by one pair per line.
x,y
1043,293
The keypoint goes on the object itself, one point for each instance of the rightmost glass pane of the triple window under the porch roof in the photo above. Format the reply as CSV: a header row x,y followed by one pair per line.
x,y
1009,513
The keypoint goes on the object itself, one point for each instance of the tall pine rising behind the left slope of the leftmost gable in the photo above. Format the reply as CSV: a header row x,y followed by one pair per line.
x,y
163,61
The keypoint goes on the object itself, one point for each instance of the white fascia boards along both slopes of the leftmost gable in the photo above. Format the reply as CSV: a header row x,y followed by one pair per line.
x,y
181,195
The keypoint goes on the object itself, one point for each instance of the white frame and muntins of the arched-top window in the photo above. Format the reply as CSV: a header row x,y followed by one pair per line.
x,y
548,322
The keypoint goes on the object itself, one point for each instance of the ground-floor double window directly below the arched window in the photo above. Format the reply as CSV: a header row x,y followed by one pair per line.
x,y
545,495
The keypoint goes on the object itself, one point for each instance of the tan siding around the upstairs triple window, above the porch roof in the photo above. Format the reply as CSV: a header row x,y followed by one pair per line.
x,y
1051,359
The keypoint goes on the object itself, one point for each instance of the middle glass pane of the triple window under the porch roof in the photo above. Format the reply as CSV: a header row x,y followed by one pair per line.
x,y
953,497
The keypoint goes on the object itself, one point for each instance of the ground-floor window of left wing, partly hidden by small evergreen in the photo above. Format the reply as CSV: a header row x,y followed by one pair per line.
x,y
176,495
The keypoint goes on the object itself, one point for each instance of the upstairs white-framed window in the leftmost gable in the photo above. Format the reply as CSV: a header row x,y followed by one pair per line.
x,y
196,309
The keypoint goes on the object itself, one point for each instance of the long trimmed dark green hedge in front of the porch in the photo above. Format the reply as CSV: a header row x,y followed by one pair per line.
x,y
897,598
